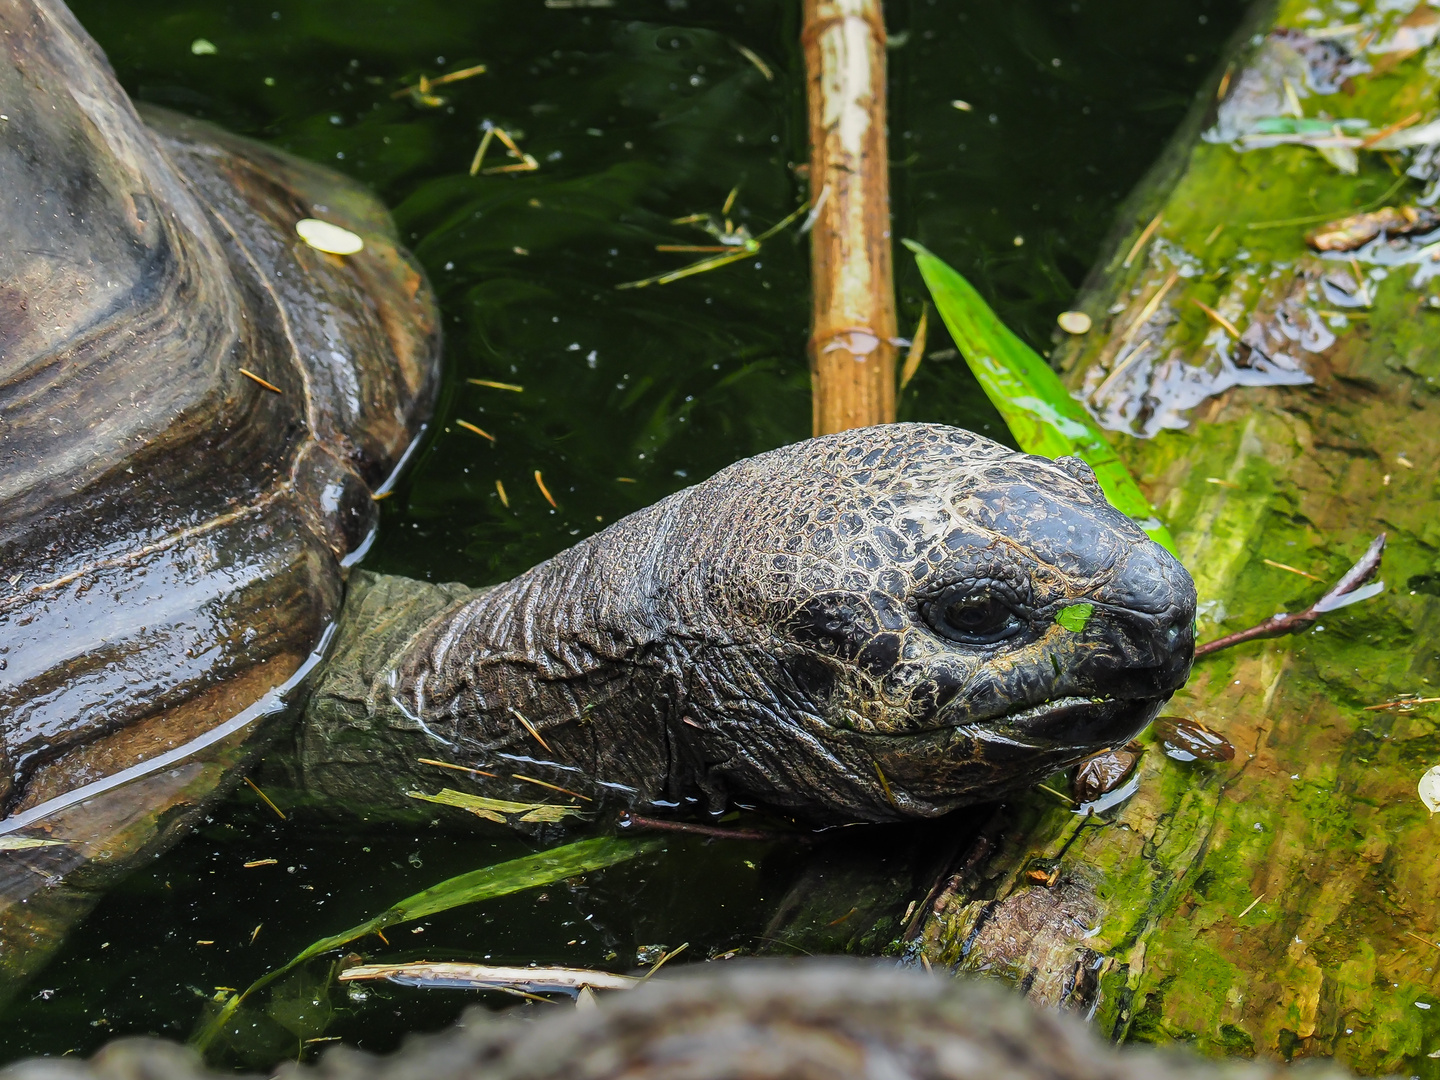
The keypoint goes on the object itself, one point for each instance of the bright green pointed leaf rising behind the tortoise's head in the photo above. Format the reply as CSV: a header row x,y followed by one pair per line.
x,y
1030,398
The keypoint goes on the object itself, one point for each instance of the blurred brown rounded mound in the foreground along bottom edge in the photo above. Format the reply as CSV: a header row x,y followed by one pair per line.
x,y
761,1019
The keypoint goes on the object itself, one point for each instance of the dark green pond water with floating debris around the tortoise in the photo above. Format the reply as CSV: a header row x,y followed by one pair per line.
x,y
639,114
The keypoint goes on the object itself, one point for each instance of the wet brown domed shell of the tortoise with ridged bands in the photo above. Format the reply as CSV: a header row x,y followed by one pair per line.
x,y
174,532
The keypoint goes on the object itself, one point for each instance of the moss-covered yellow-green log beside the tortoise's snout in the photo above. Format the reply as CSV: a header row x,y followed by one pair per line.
x,y
1285,904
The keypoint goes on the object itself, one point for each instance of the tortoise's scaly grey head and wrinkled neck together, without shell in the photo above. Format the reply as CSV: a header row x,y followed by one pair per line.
x,y
860,626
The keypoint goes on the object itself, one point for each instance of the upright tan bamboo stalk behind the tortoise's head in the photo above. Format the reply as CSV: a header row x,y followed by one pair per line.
x,y
852,349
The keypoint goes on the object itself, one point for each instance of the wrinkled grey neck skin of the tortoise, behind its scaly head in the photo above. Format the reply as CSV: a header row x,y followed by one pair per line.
x,y
608,652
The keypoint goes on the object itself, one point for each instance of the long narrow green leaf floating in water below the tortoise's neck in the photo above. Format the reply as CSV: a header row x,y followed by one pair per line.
x,y
503,879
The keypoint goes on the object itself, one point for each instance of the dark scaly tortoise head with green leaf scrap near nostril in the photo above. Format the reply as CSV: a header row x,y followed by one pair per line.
x,y
912,618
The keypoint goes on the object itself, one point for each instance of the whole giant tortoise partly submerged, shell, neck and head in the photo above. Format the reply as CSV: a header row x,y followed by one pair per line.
x,y
197,413
